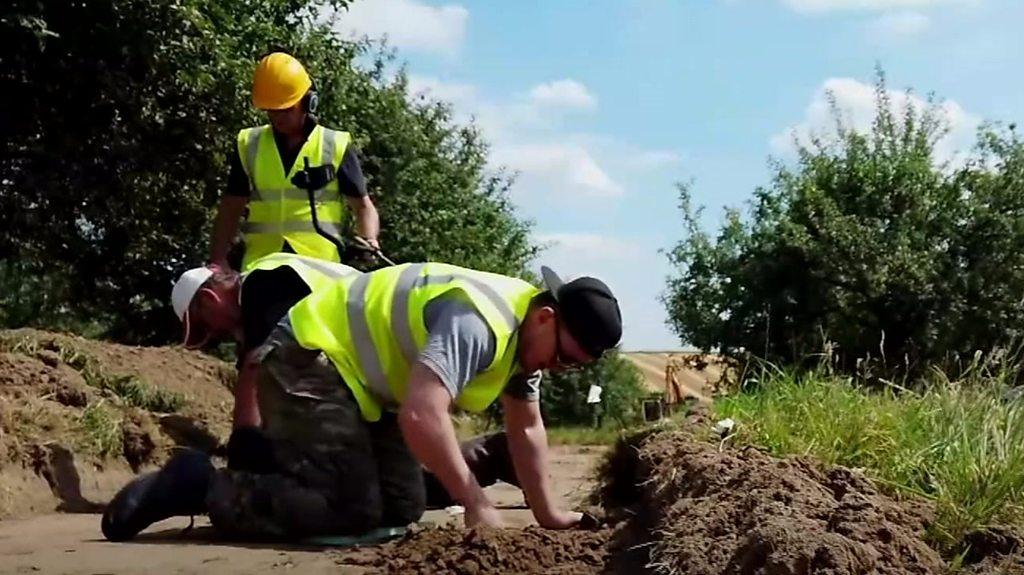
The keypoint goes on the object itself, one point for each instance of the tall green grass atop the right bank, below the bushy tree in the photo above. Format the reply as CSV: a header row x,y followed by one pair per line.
x,y
958,444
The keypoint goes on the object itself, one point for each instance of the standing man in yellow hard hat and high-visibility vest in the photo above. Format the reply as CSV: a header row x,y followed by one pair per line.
x,y
266,160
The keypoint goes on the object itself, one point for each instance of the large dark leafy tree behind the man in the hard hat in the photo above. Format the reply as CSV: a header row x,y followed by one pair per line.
x,y
118,121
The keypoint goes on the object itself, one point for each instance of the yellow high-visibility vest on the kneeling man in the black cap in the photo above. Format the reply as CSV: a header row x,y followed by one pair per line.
x,y
372,328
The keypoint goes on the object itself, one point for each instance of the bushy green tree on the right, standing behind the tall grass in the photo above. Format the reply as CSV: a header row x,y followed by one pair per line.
x,y
869,246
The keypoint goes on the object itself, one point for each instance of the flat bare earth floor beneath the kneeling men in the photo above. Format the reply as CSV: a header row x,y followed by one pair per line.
x,y
72,544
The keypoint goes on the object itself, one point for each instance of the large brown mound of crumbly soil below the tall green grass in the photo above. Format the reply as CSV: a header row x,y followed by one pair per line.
x,y
738,511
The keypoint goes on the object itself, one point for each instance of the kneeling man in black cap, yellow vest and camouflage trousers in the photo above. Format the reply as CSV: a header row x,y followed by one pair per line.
x,y
356,389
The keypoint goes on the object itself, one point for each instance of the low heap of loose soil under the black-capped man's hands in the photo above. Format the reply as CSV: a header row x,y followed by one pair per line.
x,y
474,552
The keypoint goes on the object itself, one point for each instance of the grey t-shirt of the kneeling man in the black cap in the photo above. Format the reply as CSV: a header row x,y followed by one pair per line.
x,y
460,345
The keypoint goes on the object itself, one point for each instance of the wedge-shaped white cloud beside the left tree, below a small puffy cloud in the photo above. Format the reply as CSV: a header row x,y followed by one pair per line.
x,y
559,168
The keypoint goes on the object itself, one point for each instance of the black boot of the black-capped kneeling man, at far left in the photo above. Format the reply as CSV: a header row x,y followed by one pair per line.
x,y
178,490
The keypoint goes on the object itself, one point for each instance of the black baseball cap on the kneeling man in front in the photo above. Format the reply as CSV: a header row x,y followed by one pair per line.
x,y
589,311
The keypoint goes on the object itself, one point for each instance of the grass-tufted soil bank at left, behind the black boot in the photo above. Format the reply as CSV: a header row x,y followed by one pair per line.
x,y
70,436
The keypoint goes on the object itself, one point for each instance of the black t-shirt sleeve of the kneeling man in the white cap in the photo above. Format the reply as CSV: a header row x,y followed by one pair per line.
x,y
267,297
